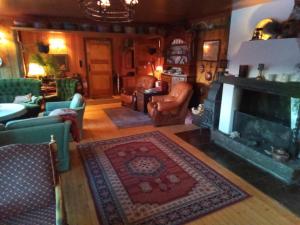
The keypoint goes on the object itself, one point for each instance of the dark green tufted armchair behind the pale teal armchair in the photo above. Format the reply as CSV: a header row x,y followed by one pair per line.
x,y
65,89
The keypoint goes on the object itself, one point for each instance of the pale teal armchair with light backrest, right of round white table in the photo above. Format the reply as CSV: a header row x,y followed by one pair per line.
x,y
77,104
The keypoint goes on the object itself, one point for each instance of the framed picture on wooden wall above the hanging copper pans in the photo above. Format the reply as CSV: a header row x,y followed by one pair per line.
x,y
211,50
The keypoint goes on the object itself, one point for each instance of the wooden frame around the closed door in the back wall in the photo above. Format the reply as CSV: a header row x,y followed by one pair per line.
x,y
85,40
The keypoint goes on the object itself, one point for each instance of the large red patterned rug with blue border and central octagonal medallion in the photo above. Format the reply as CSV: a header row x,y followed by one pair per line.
x,y
147,179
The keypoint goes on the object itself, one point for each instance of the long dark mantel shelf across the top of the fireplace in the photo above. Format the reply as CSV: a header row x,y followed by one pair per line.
x,y
289,89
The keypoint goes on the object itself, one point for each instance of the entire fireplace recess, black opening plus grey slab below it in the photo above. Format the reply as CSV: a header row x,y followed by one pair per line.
x,y
263,120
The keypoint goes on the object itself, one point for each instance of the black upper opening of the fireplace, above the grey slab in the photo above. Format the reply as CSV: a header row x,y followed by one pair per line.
x,y
266,106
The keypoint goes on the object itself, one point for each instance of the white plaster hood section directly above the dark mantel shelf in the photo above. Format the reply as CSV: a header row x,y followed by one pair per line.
x,y
280,56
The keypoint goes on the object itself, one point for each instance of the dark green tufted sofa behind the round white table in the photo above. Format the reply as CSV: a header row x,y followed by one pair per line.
x,y
10,88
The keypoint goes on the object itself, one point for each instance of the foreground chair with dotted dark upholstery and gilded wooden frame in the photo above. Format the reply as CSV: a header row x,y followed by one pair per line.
x,y
30,191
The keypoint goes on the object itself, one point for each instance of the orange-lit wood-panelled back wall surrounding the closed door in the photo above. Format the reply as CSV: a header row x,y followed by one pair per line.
x,y
75,49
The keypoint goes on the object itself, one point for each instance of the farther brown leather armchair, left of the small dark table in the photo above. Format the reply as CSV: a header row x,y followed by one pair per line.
x,y
128,96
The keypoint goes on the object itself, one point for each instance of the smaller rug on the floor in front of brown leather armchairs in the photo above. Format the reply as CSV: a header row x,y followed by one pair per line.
x,y
124,117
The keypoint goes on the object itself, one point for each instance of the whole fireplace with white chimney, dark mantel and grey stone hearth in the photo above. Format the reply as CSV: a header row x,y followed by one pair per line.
x,y
261,110
